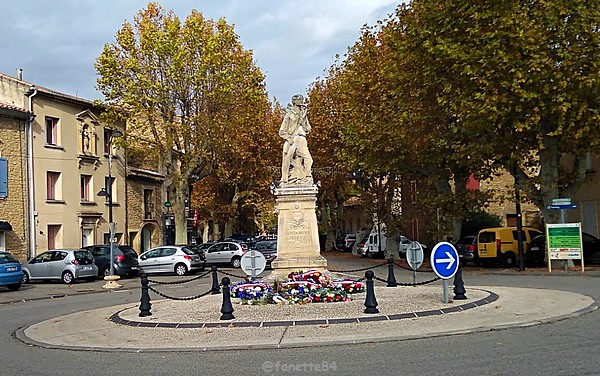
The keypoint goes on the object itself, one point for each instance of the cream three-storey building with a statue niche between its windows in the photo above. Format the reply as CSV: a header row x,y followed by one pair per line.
x,y
78,177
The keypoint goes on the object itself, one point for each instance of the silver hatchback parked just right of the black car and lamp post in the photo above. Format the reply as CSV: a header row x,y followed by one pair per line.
x,y
178,259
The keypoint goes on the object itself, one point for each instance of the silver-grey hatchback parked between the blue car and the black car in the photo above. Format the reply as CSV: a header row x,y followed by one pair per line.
x,y
61,264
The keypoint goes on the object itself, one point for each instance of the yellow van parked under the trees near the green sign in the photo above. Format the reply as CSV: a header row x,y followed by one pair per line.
x,y
500,244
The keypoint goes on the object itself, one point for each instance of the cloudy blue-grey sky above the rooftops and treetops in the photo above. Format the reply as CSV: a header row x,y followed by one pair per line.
x,y
56,42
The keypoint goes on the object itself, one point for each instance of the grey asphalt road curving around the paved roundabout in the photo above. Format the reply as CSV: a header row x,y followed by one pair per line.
x,y
568,347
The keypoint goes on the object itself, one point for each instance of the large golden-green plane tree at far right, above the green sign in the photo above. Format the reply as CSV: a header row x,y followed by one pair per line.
x,y
519,79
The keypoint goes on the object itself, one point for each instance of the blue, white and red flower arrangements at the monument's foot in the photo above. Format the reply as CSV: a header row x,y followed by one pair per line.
x,y
300,288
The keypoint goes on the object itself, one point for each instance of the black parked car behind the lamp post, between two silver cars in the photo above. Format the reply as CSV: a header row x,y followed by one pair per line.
x,y
125,259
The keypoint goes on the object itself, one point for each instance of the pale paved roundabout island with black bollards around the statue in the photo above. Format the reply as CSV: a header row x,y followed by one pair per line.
x,y
404,313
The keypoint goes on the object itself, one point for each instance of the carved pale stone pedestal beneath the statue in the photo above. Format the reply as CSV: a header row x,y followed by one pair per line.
x,y
298,246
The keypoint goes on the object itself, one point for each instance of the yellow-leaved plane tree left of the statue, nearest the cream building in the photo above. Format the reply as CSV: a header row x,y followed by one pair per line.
x,y
183,87
